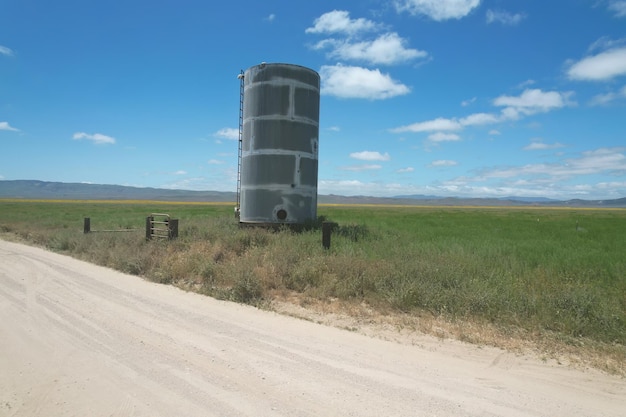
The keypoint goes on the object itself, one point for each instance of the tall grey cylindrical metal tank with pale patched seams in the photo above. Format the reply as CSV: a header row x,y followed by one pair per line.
x,y
279,145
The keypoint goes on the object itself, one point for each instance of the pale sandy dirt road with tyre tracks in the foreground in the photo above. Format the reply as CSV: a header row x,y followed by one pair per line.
x,y
81,340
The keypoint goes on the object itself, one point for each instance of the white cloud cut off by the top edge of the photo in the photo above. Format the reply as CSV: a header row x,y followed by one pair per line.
x,y
437,10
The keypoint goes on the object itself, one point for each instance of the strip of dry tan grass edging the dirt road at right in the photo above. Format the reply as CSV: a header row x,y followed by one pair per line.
x,y
412,329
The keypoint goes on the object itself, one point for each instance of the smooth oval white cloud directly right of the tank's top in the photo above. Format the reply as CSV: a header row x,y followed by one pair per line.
x,y
357,82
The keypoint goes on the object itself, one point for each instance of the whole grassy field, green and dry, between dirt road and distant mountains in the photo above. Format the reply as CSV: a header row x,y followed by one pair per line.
x,y
550,280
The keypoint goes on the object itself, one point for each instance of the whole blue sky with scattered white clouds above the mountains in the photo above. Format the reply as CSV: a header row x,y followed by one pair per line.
x,y
468,98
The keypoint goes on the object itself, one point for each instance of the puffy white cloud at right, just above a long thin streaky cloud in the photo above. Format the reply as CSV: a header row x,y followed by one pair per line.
x,y
532,101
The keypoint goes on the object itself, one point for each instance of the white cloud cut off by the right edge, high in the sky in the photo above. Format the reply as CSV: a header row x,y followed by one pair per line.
x,y
601,67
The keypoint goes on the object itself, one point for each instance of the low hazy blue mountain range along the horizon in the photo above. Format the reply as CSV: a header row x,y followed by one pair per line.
x,y
32,189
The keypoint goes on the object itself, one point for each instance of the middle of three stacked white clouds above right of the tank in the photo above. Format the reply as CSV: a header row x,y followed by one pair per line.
x,y
387,49
